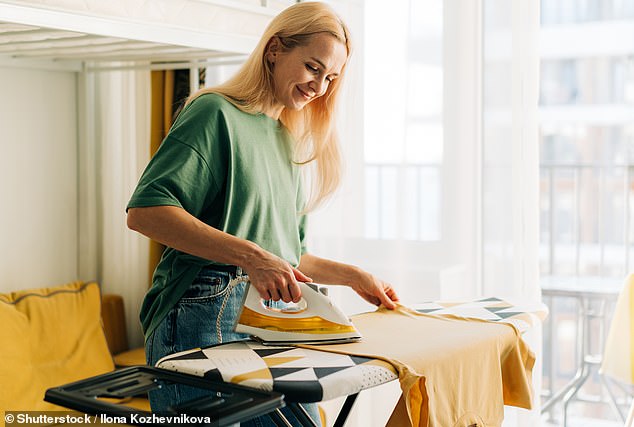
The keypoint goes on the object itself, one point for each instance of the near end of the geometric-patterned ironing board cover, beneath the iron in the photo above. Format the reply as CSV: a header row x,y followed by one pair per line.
x,y
302,375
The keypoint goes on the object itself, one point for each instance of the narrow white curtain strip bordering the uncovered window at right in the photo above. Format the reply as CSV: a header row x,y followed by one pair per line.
x,y
510,171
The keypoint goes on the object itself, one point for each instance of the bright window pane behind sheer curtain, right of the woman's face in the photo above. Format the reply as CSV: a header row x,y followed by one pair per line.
x,y
403,148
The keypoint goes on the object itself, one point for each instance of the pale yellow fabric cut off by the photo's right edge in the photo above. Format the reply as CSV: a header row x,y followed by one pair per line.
x,y
618,355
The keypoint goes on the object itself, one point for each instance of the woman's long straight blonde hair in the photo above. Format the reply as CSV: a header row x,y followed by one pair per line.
x,y
251,90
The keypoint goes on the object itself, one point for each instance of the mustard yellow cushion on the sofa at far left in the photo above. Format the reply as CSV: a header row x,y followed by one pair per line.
x,y
53,336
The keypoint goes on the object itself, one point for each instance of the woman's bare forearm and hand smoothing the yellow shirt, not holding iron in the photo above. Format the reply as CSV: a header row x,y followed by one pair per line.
x,y
325,271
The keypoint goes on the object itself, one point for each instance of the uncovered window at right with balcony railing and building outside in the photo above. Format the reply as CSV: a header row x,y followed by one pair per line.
x,y
586,145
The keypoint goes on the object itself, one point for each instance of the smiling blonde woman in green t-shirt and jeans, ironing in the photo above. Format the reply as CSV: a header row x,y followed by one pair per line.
x,y
224,191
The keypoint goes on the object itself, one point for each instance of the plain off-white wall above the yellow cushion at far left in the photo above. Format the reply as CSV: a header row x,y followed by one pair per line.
x,y
38,178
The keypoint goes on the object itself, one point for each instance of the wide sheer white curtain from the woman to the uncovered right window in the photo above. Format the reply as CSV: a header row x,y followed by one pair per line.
x,y
439,129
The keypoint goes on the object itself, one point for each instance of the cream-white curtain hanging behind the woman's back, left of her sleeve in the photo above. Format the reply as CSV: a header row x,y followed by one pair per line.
x,y
115,151
